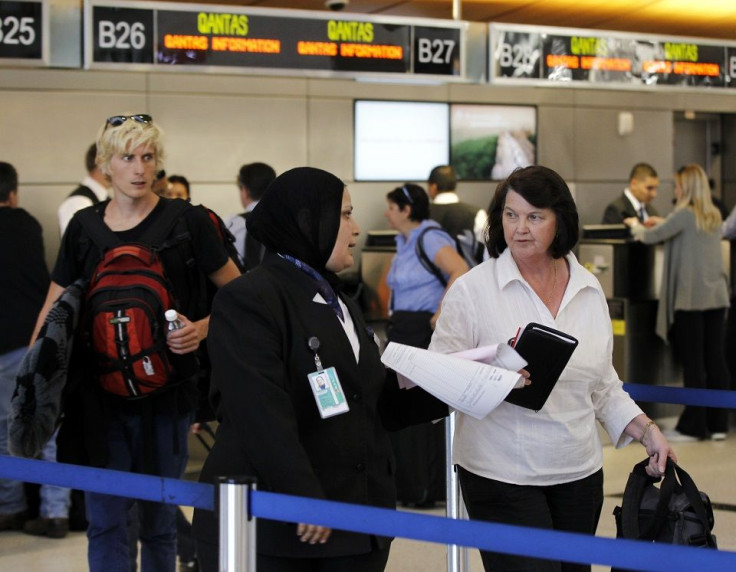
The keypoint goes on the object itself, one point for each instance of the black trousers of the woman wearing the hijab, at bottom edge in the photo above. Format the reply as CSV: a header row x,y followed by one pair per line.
x,y
374,561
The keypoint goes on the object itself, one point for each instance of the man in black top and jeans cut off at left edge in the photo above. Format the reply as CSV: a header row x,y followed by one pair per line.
x,y
25,281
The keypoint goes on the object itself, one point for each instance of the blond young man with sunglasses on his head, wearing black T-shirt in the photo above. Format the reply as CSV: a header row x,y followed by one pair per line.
x,y
146,435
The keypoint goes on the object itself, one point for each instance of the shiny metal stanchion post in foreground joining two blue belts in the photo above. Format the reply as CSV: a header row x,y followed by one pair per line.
x,y
237,526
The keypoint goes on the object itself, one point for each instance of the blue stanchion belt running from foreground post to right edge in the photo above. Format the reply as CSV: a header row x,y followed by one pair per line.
x,y
506,538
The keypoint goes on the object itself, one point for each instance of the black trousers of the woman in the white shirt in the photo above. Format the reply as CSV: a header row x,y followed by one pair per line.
x,y
572,507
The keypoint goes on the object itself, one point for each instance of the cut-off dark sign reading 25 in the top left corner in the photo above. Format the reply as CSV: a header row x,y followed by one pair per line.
x,y
22,31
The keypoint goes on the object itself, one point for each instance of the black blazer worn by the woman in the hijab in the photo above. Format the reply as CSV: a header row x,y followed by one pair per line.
x,y
270,427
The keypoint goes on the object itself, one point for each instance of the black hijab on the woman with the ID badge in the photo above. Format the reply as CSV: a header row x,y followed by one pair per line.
x,y
299,215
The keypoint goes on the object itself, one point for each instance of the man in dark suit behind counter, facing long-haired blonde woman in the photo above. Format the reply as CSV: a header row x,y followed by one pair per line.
x,y
636,199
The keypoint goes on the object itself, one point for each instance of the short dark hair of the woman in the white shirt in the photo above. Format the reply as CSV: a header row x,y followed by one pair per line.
x,y
543,188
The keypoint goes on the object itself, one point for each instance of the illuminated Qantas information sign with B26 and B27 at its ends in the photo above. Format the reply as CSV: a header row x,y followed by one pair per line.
x,y
238,38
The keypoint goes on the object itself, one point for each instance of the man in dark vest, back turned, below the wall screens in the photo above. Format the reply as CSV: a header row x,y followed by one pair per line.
x,y
447,209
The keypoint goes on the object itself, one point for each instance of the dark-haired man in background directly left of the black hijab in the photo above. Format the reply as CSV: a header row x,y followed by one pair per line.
x,y
253,180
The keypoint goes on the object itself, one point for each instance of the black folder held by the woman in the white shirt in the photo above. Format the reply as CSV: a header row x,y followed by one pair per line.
x,y
547,352
